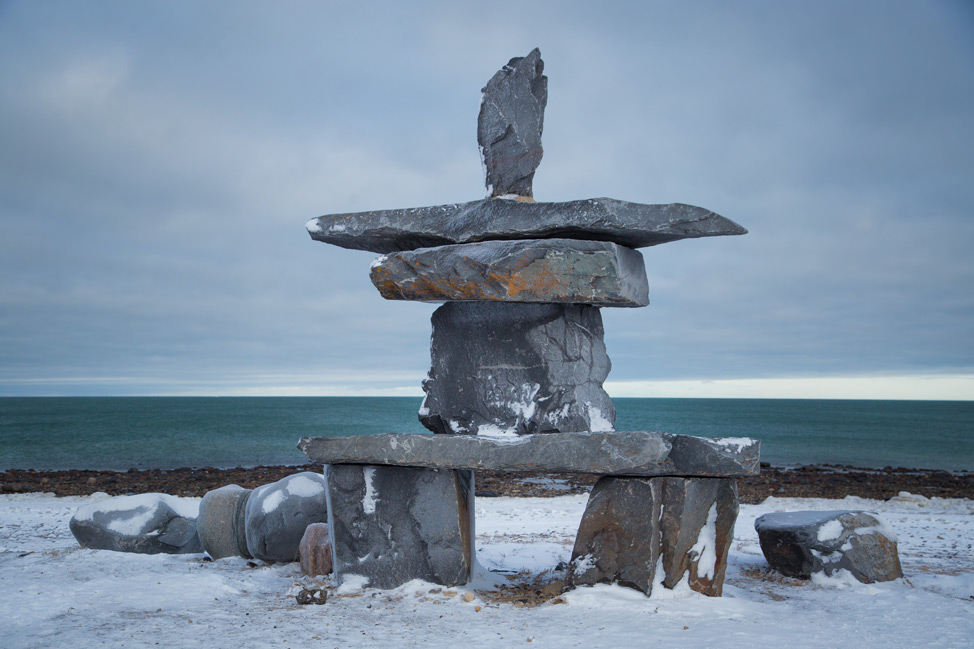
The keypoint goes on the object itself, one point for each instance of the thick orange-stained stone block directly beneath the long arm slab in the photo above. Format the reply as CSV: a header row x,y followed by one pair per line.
x,y
564,271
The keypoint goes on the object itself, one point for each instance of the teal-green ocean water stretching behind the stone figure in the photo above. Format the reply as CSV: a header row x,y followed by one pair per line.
x,y
168,432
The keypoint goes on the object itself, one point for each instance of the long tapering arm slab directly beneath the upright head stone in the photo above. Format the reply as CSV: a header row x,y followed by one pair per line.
x,y
634,225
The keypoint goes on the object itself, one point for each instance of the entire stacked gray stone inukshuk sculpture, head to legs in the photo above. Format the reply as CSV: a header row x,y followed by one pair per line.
x,y
517,350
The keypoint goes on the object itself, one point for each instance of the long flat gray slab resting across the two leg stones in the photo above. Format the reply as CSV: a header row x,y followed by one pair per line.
x,y
630,453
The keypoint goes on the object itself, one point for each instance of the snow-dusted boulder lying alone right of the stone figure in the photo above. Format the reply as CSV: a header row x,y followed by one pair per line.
x,y
798,544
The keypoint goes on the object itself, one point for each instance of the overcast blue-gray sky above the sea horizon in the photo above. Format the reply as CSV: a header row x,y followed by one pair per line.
x,y
158,161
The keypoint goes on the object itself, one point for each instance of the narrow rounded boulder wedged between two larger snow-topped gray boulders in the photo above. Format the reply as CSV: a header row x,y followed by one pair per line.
x,y
221,522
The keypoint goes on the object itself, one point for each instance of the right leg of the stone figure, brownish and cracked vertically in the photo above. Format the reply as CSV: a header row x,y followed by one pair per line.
x,y
633,526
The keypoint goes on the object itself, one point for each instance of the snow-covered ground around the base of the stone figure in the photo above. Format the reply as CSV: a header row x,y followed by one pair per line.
x,y
55,594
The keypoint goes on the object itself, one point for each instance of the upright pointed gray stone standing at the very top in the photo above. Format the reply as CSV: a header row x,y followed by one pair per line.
x,y
510,124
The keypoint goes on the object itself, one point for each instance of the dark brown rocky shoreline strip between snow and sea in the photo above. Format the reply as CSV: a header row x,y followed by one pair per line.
x,y
827,481
